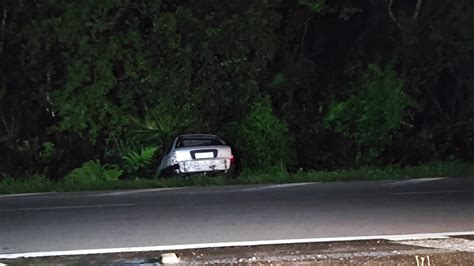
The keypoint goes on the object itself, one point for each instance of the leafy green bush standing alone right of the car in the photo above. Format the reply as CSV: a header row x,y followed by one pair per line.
x,y
374,111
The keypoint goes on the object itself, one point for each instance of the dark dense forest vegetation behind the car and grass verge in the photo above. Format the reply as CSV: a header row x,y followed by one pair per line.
x,y
93,91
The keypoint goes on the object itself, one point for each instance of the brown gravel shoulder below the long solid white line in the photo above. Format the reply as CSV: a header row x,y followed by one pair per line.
x,y
377,252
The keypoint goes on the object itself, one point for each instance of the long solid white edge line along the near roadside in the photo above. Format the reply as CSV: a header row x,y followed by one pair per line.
x,y
226,244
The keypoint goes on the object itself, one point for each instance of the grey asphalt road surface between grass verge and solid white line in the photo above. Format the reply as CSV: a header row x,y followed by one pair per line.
x,y
71,221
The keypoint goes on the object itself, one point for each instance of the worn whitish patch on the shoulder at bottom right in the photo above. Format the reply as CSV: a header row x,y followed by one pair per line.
x,y
453,244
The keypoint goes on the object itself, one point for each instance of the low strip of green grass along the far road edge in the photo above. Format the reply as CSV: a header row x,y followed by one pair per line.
x,y
42,184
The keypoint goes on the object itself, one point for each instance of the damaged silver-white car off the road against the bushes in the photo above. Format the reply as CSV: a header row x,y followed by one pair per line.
x,y
197,154
